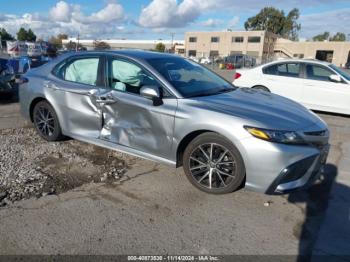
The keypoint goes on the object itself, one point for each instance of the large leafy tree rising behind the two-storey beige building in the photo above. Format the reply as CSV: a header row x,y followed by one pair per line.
x,y
275,21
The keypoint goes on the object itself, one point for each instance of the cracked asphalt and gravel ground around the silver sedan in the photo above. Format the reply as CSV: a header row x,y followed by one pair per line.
x,y
80,199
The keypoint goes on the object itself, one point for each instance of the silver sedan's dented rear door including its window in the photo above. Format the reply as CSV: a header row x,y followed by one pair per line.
x,y
75,90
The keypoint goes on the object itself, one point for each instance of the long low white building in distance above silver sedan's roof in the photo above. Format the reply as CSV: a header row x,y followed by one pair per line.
x,y
126,43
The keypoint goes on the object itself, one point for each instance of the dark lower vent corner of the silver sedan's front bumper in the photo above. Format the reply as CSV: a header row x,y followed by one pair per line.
x,y
300,174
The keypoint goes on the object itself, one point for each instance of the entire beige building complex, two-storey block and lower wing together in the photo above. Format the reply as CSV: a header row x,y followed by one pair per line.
x,y
264,46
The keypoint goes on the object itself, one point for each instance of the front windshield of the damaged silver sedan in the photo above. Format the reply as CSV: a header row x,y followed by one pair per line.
x,y
189,78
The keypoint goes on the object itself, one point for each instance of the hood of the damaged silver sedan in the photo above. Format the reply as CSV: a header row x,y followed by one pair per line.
x,y
265,109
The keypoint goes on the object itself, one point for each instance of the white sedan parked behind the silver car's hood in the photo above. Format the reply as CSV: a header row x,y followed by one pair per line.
x,y
315,84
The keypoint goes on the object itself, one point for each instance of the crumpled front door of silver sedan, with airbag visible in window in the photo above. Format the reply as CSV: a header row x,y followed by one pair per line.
x,y
131,119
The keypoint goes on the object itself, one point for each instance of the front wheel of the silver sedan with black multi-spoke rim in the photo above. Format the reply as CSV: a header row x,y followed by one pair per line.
x,y
226,175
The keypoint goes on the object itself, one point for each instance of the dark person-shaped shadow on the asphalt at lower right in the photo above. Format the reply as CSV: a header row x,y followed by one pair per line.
x,y
317,199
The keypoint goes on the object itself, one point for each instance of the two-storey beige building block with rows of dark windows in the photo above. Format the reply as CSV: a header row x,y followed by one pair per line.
x,y
259,44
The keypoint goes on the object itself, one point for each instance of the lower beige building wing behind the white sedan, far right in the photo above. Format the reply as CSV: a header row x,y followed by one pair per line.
x,y
337,53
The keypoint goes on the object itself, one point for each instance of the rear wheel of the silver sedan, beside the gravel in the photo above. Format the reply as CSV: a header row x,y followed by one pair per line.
x,y
46,122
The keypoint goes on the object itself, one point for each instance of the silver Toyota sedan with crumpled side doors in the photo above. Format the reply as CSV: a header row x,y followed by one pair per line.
x,y
171,110
